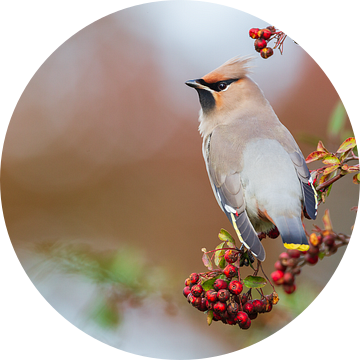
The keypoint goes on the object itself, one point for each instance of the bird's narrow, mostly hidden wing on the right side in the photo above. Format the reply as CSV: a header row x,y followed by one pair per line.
x,y
309,192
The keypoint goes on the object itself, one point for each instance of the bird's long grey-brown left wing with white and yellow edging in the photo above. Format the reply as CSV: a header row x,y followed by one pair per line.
x,y
226,183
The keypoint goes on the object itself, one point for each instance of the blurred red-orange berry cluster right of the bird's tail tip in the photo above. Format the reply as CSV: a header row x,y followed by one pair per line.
x,y
290,262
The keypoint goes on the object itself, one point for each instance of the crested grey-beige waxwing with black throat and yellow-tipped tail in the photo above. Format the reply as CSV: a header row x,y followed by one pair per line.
x,y
256,169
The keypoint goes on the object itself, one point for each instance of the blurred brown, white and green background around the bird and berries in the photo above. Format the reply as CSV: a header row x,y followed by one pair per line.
x,y
105,195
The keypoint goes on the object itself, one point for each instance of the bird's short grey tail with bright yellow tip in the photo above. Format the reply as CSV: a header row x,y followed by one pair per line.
x,y
292,232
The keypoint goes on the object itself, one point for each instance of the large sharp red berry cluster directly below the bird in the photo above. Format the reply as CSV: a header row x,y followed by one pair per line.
x,y
219,292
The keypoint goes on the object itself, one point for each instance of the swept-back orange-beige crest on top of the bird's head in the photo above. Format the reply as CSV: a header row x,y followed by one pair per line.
x,y
235,68
